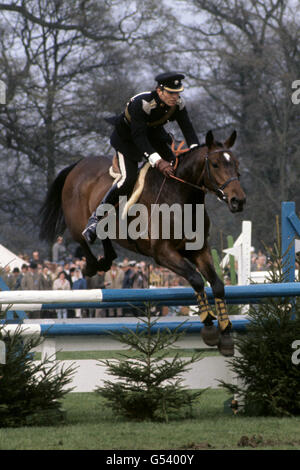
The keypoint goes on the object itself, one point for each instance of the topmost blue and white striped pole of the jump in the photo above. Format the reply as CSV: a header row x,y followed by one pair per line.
x,y
110,298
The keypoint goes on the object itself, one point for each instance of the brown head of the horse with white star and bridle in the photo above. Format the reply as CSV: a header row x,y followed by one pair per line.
x,y
220,173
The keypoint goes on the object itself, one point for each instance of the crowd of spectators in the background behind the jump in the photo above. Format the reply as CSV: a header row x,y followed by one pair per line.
x,y
65,272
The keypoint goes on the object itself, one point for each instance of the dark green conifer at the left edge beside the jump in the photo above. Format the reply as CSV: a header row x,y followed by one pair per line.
x,y
30,391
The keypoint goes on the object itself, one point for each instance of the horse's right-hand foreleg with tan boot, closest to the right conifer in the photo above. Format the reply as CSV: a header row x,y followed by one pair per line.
x,y
204,263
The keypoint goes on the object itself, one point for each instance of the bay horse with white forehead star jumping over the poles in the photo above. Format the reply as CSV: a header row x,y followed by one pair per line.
x,y
78,189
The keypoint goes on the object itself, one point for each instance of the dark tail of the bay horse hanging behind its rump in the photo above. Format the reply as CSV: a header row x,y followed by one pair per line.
x,y
51,213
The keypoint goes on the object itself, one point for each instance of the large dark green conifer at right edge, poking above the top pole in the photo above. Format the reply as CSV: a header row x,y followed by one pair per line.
x,y
268,377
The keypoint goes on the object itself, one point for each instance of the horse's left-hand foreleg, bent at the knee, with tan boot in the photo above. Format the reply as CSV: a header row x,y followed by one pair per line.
x,y
167,256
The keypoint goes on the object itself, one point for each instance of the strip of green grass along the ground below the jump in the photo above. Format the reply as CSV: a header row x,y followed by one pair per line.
x,y
91,425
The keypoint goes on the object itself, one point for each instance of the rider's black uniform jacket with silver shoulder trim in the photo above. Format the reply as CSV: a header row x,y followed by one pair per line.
x,y
144,118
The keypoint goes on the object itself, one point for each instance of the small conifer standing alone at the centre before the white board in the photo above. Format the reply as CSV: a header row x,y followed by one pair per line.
x,y
149,385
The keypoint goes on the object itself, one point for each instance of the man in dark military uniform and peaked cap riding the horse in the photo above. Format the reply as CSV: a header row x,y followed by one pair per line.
x,y
139,133
